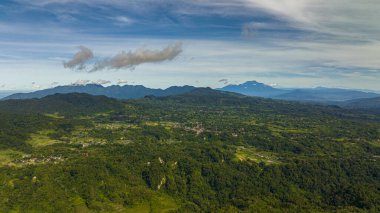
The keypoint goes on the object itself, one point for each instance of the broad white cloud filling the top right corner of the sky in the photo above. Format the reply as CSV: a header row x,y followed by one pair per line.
x,y
339,17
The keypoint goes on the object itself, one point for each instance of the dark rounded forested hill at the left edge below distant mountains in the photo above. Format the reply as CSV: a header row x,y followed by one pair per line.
x,y
65,104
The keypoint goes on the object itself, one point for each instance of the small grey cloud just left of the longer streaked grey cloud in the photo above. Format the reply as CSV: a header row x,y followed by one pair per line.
x,y
79,59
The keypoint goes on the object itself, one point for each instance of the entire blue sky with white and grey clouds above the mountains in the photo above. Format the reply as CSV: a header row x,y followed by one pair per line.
x,y
160,43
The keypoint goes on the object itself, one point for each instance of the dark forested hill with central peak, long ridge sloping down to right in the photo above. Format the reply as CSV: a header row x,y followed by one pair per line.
x,y
207,97
